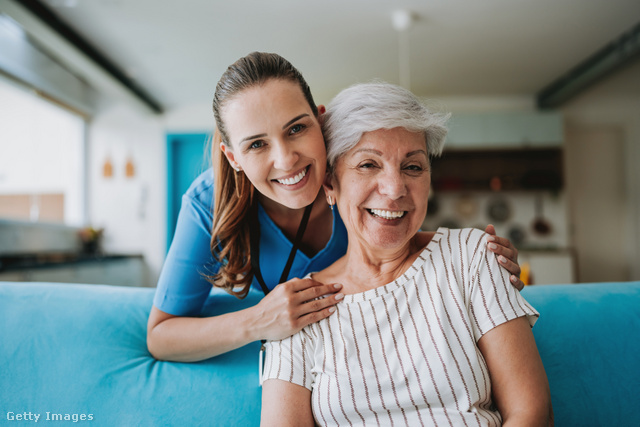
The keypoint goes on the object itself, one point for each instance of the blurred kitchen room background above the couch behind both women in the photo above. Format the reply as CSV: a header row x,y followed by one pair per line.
x,y
105,115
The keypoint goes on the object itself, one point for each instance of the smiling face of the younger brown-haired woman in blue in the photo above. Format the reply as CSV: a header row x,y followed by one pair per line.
x,y
277,141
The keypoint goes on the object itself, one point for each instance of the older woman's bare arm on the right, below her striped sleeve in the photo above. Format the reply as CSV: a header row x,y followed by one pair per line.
x,y
519,383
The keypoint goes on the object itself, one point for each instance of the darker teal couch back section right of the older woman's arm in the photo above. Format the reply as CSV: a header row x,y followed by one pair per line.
x,y
589,340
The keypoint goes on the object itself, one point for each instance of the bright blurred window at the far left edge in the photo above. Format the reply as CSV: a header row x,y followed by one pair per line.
x,y
42,150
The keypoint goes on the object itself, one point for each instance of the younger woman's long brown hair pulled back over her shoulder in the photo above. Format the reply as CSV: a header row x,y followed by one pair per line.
x,y
234,193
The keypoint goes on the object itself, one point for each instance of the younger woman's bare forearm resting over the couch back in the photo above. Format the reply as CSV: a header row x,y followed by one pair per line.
x,y
191,339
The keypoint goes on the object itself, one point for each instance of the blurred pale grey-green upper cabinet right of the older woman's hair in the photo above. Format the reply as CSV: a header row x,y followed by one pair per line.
x,y
505,130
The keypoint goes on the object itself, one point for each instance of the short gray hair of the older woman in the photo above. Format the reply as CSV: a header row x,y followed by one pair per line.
x,y
367,107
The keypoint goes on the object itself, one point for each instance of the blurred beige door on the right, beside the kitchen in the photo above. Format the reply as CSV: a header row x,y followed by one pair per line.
x,y
598,206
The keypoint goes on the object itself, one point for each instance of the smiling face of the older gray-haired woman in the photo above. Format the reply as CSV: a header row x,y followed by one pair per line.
x,y
381,188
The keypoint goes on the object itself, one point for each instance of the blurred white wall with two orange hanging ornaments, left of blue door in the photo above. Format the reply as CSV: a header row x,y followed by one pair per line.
x,y
132,210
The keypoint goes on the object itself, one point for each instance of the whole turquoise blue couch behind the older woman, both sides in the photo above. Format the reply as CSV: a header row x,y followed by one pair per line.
x,y
78,353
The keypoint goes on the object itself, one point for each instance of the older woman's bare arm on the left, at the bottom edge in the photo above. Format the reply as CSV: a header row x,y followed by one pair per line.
x,y
285,404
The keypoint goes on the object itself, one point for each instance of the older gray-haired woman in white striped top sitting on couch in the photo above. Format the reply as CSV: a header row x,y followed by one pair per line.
x,y
429,331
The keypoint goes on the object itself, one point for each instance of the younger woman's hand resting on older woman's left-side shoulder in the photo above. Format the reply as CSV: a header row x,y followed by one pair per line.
x,y
294,304
